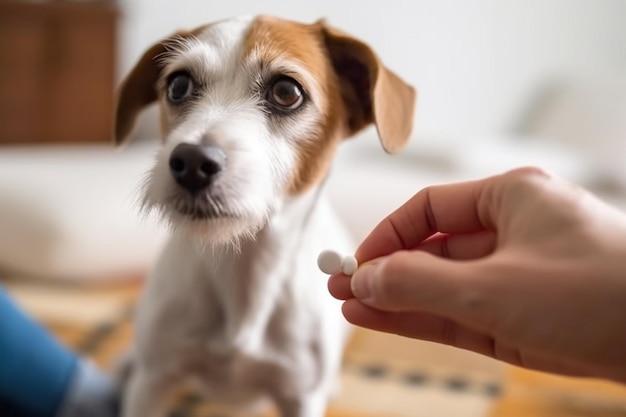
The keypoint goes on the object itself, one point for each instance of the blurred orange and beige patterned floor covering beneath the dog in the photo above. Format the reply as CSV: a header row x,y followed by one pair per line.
x,y
383,375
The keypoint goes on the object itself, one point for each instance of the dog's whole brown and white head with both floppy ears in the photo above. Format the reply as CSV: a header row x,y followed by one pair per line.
x,y
252,110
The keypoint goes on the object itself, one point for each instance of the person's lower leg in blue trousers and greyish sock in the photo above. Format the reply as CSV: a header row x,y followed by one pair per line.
x,y
39,377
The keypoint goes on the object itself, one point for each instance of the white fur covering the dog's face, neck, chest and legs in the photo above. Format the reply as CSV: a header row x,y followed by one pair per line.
x,y
237,301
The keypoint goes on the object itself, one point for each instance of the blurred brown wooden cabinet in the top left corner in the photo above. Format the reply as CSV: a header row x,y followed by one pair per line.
x,y
57,71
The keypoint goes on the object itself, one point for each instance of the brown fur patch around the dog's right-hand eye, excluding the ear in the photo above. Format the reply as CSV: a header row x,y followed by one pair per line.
x,y
273,39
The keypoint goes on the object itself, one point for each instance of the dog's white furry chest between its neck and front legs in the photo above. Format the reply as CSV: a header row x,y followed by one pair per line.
x,y
237,328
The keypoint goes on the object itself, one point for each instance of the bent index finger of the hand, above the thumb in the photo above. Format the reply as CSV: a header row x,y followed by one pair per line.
x,y
450,208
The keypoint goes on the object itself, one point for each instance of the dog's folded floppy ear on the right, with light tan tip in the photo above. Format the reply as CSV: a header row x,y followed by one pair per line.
x,y
372,93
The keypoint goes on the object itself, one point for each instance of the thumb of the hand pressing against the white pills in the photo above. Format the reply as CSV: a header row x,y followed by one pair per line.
x,y
416,280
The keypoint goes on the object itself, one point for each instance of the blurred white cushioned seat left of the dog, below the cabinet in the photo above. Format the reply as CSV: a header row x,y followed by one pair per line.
x,y
70,212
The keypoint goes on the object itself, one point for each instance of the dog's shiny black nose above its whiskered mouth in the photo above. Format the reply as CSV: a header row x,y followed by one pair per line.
x,y
195,166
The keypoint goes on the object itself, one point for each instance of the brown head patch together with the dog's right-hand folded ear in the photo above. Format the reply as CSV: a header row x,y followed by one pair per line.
x,y
355,90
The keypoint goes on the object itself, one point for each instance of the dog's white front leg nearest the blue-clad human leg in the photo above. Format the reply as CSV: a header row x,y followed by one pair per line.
x,y
147,395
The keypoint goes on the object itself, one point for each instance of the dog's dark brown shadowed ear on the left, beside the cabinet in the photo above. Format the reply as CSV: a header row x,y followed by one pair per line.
x,y
138,89
